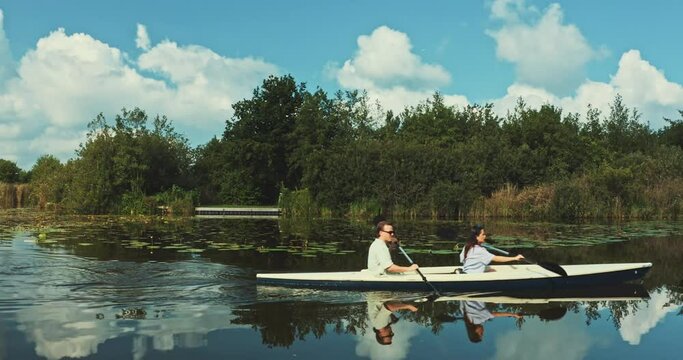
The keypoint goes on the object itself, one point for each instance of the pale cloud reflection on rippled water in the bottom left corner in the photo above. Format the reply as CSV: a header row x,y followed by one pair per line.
x,y
64,329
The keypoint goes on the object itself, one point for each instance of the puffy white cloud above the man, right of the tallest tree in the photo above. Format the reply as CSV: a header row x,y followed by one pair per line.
x,y
387,68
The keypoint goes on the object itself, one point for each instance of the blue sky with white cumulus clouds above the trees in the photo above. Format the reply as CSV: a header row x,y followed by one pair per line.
x,y
64,62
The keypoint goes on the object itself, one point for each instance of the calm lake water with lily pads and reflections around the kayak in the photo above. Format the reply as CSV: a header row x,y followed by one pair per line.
x,y
115,288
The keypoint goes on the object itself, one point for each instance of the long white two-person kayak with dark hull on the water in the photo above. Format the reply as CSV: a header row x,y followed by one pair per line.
x,y
448,278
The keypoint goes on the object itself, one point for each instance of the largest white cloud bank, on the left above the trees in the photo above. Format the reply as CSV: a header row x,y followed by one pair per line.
x,y
67,79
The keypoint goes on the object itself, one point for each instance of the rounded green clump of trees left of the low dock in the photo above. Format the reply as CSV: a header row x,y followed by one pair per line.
x,y
122,163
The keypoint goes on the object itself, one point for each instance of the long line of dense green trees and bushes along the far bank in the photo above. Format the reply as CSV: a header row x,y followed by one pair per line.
x,y
316,153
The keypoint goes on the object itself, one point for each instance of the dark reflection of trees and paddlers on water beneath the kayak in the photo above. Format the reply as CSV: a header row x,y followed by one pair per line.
x,y
282,324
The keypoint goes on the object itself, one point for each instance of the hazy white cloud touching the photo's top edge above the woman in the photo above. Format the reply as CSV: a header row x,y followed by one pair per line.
x,y
547,53
